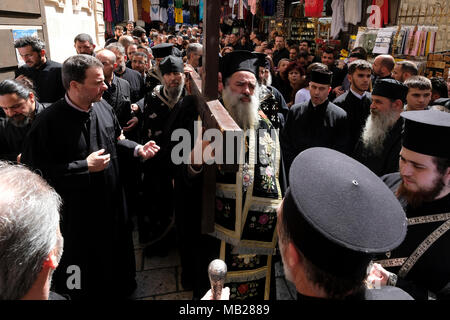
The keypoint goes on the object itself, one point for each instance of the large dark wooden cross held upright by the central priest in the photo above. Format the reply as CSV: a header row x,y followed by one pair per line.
x,y
211,111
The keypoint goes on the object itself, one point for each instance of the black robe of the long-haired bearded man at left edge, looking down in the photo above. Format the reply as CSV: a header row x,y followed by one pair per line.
x,y
12,137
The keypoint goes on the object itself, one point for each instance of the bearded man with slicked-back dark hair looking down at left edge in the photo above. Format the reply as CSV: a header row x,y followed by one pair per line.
x,y
21,107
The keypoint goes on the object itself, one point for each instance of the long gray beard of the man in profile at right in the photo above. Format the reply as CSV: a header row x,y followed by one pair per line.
x,y
376,129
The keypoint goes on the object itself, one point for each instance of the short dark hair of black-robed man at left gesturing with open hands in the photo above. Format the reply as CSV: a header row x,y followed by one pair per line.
x,y
74,68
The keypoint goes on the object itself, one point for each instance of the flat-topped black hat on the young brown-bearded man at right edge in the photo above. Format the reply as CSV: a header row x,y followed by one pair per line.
x,y
427,132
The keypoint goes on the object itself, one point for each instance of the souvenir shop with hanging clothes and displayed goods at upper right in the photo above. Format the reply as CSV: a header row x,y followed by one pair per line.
x,y
406,29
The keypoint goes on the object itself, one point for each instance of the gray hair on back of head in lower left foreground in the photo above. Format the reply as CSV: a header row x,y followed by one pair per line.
x,y
29,221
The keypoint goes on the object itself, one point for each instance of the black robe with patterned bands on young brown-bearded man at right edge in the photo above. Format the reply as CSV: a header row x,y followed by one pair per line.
x,y
430,275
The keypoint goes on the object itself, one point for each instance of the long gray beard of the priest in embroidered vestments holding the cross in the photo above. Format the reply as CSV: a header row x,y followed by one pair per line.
x,y
245,114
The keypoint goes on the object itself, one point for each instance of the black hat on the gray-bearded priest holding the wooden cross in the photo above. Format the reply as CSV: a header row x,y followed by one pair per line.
x,y
238,60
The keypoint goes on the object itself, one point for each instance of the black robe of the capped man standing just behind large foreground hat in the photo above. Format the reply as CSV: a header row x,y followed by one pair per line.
x,y
325,125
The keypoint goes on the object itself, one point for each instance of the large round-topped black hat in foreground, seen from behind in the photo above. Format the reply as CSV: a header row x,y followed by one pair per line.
x,y
339,213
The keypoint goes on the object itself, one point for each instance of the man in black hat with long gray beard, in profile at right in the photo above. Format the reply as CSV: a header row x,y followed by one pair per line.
x,y
380,140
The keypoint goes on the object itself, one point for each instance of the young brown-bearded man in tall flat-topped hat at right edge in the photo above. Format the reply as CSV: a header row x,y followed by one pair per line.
x,y
421,264
